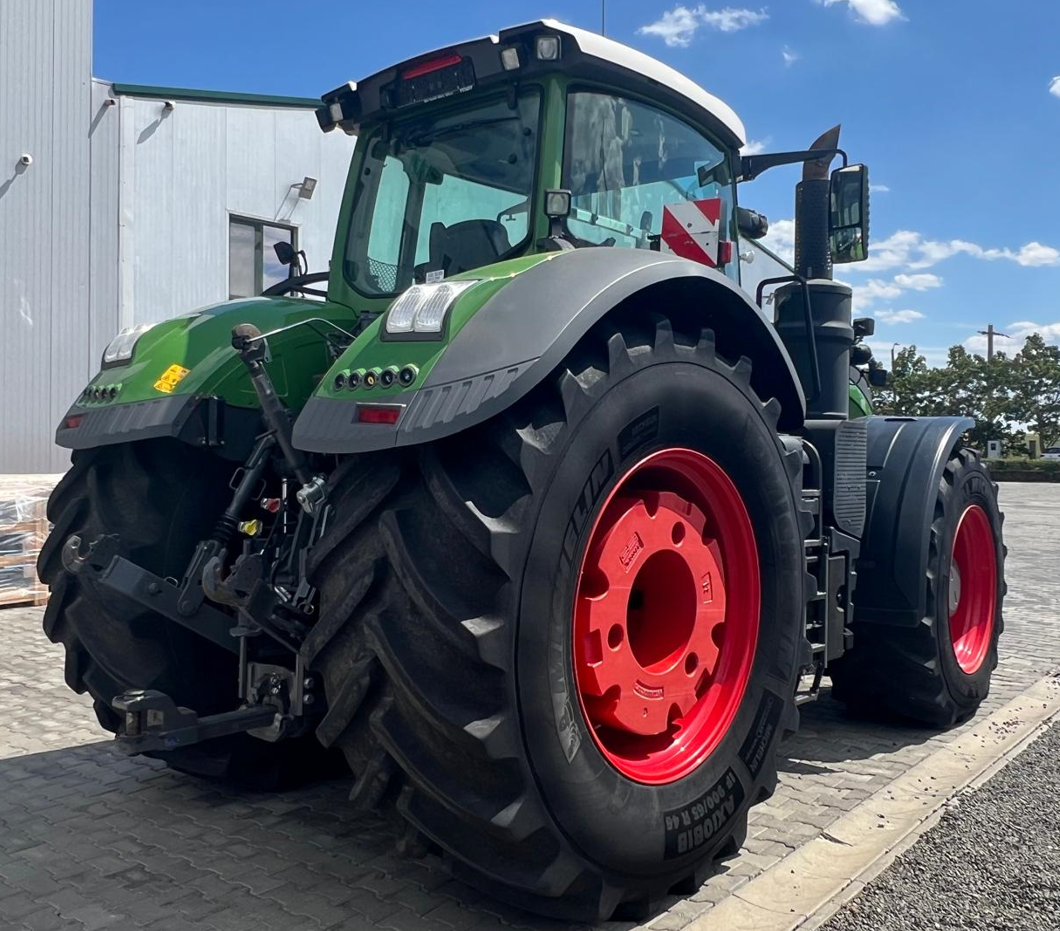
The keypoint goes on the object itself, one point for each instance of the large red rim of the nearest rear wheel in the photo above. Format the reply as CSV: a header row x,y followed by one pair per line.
x,y
666,617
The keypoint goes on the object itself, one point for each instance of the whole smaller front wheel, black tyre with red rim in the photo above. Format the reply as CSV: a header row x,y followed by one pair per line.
x,y
940,672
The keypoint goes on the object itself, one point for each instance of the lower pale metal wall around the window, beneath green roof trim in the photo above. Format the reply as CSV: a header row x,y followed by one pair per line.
x,y
183,173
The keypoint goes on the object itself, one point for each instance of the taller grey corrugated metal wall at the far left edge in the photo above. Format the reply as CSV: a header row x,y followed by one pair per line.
x,y
46,62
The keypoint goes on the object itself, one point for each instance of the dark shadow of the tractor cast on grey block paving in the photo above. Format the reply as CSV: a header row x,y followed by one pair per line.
x,y
91,830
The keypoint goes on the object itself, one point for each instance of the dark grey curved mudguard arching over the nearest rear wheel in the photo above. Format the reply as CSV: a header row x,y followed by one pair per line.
x,y
533,319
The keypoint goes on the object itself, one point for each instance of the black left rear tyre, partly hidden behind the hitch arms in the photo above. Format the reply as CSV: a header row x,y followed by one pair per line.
x,y
162,498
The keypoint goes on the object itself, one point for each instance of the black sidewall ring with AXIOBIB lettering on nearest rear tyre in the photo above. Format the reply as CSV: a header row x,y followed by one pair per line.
x,y
633,829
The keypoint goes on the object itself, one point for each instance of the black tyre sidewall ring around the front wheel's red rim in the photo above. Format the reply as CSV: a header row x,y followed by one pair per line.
x,y
973,486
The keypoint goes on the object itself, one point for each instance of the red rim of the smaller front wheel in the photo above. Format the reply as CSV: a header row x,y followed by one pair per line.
x,y
973,590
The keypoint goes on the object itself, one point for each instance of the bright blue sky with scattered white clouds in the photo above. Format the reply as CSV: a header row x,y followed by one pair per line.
x,y
955,106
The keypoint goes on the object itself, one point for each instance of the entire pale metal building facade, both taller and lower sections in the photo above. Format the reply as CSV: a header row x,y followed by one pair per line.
x,y
122,218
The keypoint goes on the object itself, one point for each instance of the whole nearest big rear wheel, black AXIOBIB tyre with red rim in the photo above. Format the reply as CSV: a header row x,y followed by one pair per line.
x,y
461,644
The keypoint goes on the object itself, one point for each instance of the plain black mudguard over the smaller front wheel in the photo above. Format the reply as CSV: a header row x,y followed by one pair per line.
x,y
907,456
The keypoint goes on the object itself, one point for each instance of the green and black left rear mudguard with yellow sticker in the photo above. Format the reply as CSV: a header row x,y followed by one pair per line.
x,y
186,381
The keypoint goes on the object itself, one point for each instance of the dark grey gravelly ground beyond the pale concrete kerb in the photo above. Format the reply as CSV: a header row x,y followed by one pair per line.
x,y
992,863
